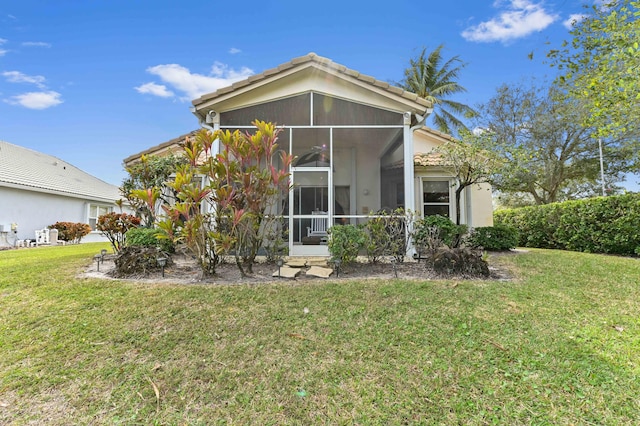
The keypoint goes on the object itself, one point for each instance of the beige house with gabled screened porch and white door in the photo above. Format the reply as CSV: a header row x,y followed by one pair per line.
x,y
352,136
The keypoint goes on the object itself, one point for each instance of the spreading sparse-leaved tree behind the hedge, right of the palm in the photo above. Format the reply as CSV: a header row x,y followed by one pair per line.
x,y
548,154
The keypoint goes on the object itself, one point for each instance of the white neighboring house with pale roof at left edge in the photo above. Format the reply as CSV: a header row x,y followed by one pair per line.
x,y
38,190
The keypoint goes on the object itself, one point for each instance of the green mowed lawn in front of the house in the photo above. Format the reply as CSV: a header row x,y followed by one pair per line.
x,y
559,344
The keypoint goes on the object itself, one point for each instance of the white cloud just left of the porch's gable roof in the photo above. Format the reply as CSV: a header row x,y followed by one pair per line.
x,y
194,85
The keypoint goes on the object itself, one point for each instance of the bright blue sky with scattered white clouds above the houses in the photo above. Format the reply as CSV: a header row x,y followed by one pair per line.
x,y
95,81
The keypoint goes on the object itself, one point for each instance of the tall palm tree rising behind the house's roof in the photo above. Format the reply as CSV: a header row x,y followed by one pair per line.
x,y
435,81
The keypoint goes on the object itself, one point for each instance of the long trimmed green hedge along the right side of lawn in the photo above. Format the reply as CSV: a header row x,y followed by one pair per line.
x,y
595,225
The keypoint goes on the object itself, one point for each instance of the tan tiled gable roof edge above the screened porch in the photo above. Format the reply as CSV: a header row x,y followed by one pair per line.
x,y
322,62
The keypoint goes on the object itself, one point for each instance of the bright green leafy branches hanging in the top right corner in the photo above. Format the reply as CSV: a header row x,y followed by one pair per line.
x,y
601,66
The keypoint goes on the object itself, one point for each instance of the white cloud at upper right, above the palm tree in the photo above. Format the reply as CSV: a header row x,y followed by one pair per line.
x,y
521,18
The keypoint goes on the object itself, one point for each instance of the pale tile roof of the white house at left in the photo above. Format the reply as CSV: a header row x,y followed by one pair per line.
x,y
32,170
